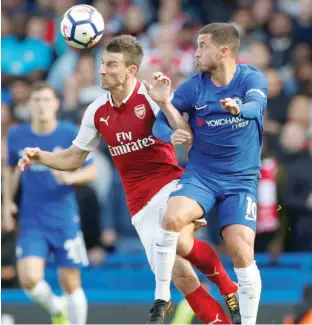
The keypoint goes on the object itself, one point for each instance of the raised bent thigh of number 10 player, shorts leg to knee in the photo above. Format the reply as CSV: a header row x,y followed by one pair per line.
x,y
187,203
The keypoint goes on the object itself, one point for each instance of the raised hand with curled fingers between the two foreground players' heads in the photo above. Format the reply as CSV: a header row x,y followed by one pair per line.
x,y
159,90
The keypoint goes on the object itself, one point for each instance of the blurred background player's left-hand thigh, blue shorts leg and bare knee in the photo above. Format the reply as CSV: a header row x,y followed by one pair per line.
x,y
32,250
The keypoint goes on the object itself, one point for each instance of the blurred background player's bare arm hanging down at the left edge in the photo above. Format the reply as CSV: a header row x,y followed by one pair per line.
x,y
11,177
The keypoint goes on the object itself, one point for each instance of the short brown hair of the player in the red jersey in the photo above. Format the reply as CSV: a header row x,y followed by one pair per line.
x,y
129,46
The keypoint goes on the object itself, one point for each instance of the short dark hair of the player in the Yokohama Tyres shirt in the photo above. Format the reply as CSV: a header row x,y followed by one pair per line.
x,y
223,34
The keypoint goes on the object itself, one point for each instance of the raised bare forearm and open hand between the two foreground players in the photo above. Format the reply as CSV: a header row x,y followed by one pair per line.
x,y
159,91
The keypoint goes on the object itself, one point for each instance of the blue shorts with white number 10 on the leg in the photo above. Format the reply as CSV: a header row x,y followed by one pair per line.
x,y
235,197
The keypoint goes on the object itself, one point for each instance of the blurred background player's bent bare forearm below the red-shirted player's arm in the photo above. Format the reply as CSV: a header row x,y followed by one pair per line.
x,y
83,175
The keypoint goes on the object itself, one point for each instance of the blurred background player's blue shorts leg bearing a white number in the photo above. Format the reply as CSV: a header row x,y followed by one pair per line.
x,y
69,249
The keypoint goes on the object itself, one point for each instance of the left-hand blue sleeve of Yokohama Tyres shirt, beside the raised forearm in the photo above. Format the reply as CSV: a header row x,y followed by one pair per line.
x,y
185,95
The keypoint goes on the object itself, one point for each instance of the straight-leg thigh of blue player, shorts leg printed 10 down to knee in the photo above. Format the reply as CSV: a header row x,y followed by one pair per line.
x,y
238,217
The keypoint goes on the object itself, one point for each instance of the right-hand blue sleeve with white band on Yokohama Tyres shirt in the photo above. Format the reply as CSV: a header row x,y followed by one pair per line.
x,y
256,89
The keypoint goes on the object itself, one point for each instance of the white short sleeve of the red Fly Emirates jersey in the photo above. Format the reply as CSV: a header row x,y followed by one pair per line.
x,y
88,136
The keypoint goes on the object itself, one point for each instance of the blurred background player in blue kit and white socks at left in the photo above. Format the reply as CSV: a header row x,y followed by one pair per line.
x,y
49,217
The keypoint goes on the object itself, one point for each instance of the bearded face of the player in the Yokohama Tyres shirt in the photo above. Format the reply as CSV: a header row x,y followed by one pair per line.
x,y
208,54
